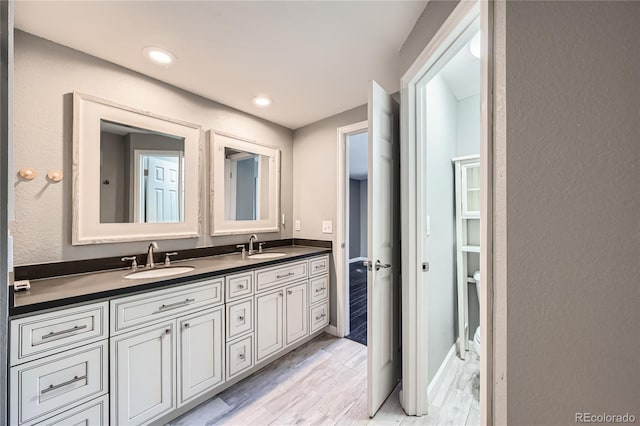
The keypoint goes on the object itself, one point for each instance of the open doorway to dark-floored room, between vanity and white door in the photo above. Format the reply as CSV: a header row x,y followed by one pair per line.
x,y
357,214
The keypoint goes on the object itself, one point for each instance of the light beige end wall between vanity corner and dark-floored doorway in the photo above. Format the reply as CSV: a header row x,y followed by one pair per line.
x,y
315,179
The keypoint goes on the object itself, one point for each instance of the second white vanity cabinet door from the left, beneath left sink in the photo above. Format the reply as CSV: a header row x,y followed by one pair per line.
x,y
201,362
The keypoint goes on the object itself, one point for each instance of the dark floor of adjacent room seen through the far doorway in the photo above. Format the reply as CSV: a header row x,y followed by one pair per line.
x,y
358,302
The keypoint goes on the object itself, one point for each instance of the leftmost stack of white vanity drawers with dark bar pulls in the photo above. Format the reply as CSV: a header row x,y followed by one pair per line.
x,y
59,361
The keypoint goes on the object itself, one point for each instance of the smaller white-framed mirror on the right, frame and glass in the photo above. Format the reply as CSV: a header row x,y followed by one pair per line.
x,y
245,185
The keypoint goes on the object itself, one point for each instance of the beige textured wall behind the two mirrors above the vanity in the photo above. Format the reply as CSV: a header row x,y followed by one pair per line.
x,y
45,75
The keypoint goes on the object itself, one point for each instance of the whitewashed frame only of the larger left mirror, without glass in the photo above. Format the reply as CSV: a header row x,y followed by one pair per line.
x,y
88,111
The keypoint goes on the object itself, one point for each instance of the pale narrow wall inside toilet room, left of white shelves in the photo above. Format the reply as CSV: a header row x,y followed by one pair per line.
x,y
440,245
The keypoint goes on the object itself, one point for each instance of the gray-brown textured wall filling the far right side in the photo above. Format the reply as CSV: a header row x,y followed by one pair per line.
x,y
567,233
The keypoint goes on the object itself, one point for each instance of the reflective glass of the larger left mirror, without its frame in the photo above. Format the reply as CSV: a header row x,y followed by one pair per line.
x,y
141,175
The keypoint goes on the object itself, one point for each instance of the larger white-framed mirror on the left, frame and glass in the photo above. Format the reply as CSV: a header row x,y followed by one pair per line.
x,y
135,174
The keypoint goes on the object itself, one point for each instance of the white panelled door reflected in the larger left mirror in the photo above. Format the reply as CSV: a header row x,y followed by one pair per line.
x,y
162,189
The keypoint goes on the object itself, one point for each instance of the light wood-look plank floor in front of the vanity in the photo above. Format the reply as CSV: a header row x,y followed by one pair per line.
x,y
324,382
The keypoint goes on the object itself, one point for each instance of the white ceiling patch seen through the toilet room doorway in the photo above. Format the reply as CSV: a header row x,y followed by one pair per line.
x,y
462,74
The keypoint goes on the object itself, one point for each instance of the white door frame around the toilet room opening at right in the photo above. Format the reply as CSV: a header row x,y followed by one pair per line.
x,y
414,314
